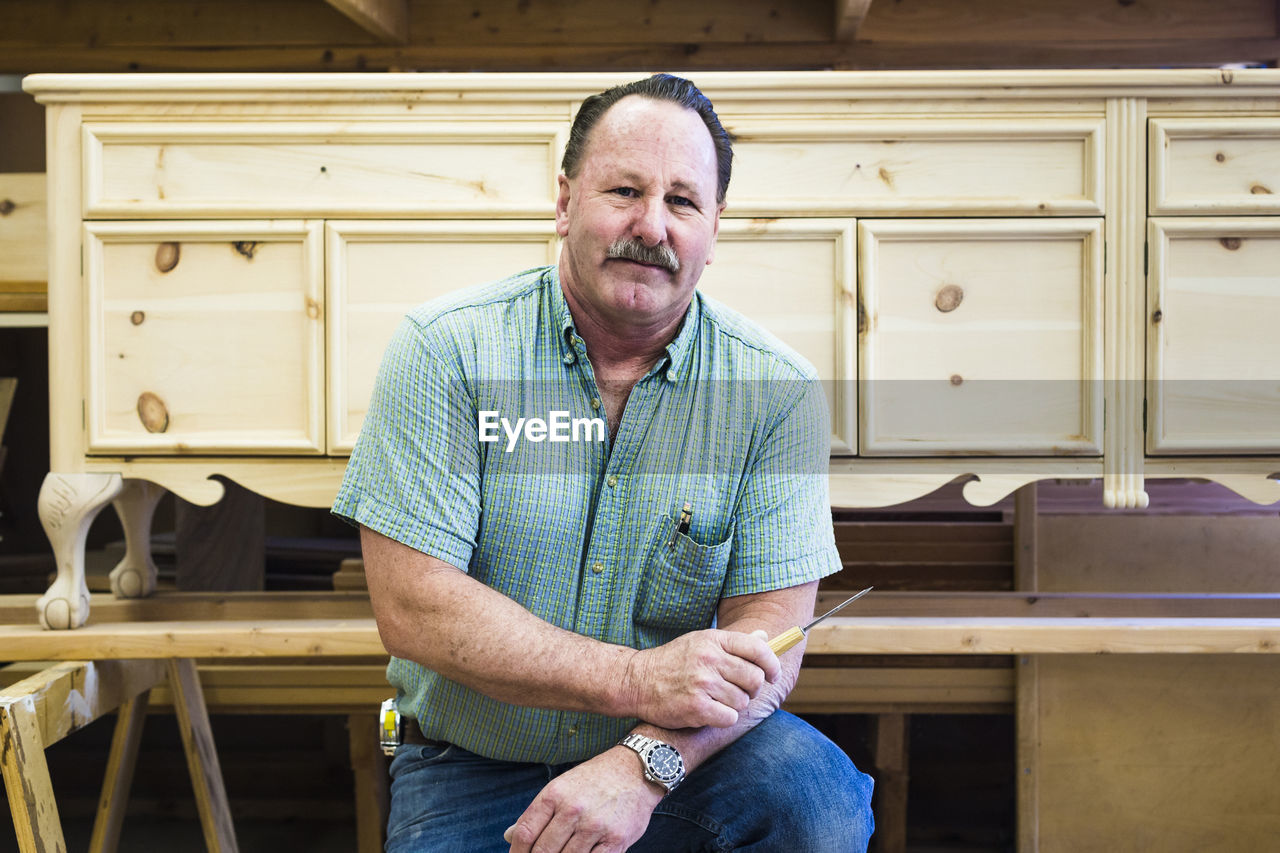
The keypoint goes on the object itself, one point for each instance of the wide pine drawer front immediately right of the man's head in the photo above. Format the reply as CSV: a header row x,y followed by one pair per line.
x,y
954,167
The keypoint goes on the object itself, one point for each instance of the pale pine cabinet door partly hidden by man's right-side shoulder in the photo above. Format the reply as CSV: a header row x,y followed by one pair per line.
x,y
796,277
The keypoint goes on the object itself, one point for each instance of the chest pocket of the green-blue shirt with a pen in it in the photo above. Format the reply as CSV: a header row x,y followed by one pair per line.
x,y
682,582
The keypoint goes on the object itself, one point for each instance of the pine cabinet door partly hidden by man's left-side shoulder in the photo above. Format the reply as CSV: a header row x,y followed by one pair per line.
x,y
378,271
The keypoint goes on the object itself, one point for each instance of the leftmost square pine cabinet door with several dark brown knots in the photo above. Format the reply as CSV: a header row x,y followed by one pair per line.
x,y
204,337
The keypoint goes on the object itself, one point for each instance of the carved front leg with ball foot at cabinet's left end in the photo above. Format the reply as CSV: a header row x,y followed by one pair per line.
x,y
68,505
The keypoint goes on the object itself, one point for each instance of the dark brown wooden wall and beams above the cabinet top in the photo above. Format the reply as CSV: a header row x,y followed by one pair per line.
x,y
561,35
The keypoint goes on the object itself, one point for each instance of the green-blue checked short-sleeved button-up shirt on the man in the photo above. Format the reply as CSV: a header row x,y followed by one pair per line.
x,y
588,532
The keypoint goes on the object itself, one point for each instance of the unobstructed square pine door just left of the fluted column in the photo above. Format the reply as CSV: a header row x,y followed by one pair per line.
x,y
981,337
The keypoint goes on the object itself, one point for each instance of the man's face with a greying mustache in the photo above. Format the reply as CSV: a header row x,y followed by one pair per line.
x,y
648,179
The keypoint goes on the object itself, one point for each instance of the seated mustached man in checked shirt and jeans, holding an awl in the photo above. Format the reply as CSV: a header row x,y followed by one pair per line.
x,y
546,601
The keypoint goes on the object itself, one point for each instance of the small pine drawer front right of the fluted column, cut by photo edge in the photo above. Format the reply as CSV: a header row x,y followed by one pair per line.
x,y
1215,166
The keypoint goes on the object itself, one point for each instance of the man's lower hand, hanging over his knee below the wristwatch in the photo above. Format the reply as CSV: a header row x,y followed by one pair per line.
x,y
602,806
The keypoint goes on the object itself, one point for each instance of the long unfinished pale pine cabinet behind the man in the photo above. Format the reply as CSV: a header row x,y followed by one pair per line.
x,y
962,257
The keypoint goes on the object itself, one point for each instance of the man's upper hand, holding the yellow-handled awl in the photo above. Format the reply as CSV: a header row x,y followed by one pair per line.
x,y
701,679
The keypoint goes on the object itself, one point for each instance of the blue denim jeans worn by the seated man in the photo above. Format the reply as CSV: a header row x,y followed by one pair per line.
x,y
781,787
